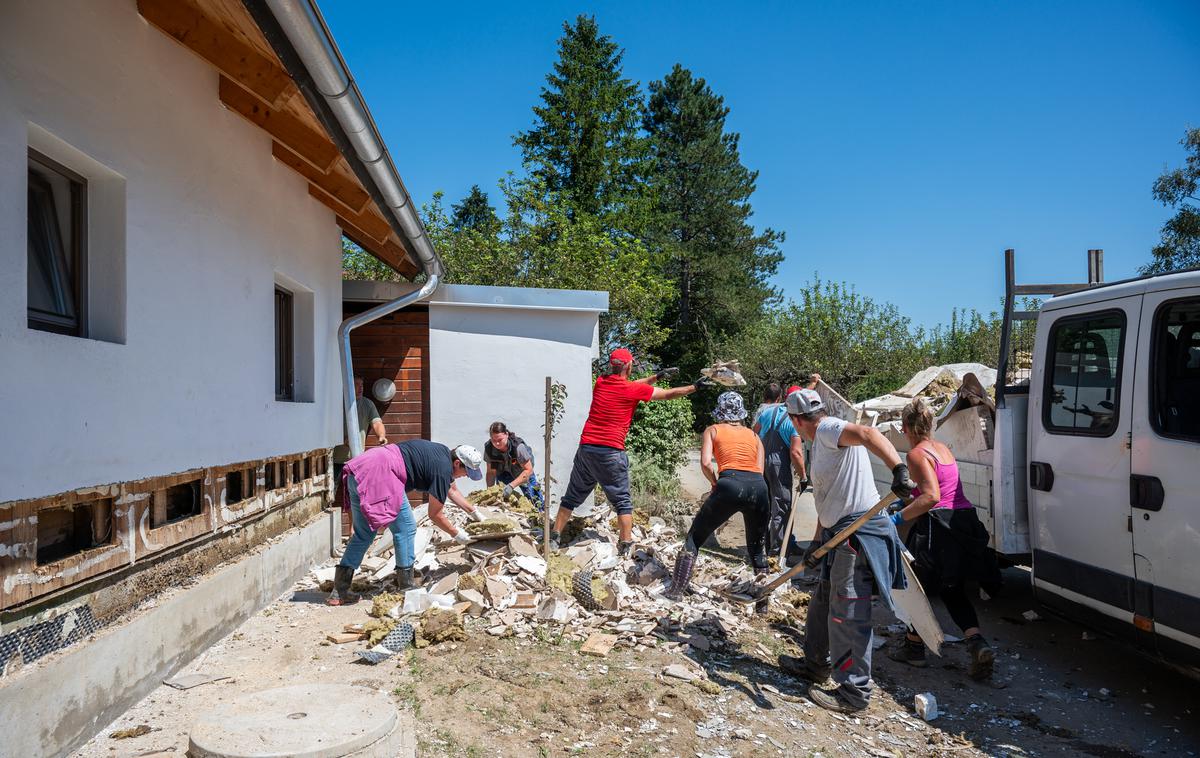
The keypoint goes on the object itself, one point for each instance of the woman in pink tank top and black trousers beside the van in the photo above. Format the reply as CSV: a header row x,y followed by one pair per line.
x,y
947,540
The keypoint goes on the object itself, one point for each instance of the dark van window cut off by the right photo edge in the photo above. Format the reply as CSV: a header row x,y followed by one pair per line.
x,y
1175,370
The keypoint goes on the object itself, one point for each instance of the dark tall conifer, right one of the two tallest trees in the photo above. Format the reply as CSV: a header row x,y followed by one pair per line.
x,y
717,261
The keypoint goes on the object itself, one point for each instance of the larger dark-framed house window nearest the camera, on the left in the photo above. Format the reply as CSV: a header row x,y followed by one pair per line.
x,y
57,243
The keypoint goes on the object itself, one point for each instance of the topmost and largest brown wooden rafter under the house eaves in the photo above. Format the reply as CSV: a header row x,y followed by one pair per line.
x,y
184,22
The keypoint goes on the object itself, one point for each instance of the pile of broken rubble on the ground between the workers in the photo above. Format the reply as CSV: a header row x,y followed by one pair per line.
x,y
585,593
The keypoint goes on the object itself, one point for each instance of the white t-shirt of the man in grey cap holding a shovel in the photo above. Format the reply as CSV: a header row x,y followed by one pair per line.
x,y
843,483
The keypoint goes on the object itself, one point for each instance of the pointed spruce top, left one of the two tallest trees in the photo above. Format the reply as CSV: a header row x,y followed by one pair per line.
x,y
585,148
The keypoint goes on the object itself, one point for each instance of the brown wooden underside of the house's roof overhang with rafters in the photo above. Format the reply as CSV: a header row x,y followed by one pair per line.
x,y
249,52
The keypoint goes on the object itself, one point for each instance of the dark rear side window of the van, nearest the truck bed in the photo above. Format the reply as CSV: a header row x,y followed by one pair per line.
x,y
1083,387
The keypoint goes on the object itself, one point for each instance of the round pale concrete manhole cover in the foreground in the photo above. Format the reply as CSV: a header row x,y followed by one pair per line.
x,y
307,721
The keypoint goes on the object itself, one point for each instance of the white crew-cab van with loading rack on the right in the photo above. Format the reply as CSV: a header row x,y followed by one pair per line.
x,y
1093,476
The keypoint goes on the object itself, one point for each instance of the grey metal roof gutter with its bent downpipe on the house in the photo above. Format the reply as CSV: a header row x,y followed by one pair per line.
x,y
298,34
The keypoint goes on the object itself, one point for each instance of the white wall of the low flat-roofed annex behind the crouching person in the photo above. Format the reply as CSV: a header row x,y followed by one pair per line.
x,y
490,364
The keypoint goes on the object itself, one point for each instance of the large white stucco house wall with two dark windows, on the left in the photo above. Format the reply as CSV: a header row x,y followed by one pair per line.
x,y
211,221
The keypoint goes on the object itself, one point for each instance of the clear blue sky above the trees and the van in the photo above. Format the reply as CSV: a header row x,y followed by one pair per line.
x,y
901,146
